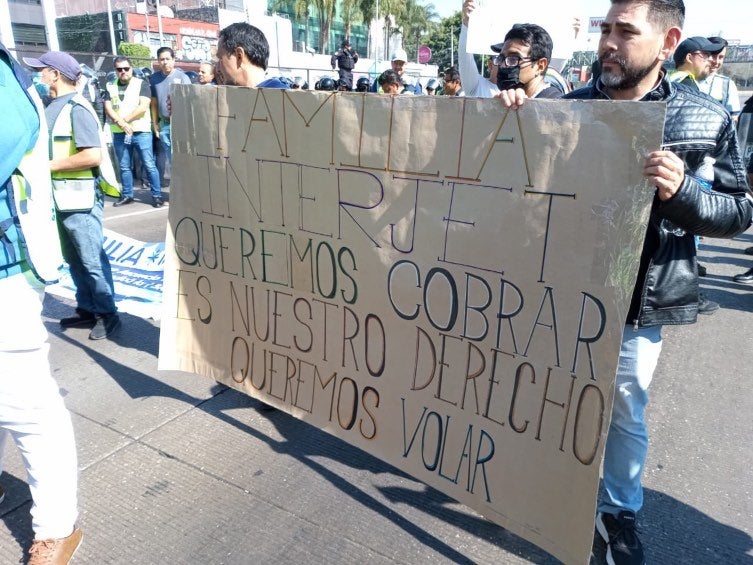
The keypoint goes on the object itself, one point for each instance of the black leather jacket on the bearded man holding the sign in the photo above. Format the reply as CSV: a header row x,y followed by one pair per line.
x,y
666,291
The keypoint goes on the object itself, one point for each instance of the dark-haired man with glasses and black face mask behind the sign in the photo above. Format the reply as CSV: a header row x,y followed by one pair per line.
x,y
523,59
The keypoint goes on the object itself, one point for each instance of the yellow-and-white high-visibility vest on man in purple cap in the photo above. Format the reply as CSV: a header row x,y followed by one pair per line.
x,y
62,145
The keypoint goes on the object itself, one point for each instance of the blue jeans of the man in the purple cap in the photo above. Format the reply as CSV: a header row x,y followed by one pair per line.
x,y
81,240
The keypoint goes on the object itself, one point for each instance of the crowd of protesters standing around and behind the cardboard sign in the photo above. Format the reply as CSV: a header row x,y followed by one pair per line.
x,y
54,192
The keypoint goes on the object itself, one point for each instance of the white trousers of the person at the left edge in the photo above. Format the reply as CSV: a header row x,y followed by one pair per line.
x,y
32,411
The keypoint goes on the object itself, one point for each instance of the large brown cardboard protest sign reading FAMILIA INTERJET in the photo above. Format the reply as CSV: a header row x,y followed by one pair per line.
x,y
438,281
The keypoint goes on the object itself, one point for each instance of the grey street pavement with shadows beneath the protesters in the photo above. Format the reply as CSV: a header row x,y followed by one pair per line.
x,y
175,468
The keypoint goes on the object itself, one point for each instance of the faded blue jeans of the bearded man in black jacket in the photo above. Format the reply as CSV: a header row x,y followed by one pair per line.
x,y
627,442
